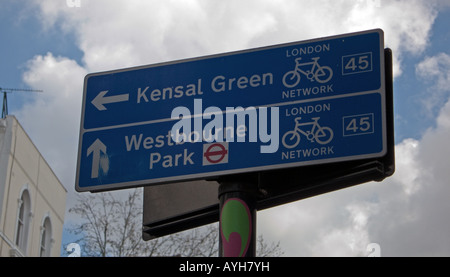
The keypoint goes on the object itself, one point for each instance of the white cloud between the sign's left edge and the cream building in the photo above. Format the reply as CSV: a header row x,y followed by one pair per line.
x,y
52,120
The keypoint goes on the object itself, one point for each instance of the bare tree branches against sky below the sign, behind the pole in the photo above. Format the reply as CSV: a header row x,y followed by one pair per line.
x,y
113,227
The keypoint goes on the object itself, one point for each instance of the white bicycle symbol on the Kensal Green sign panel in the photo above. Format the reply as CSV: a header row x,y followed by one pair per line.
x,y
321,74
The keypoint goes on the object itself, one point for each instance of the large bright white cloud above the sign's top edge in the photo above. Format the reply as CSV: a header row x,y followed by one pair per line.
x,y
115,33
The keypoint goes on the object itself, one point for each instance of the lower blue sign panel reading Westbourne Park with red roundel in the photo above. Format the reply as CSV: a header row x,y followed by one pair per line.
x,y
298,133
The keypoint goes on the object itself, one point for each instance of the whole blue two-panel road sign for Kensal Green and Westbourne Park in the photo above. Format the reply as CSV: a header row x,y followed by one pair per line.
x,y
313,102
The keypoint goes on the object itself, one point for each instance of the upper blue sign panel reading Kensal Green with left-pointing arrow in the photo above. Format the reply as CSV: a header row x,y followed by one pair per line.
x,y
284,73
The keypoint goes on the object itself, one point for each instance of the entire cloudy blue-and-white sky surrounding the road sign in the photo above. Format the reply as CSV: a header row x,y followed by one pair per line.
x,y
52,44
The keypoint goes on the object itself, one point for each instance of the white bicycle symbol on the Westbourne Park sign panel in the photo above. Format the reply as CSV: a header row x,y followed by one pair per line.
x,y
319,134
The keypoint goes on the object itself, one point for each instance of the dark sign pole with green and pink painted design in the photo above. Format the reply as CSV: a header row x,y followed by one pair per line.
x,y
237,224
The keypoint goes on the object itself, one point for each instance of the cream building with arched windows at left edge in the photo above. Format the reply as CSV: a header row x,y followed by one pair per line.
x,y
32,199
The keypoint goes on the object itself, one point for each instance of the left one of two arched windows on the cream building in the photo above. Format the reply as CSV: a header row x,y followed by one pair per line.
x,y
23,221
